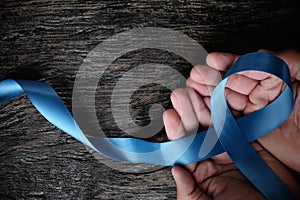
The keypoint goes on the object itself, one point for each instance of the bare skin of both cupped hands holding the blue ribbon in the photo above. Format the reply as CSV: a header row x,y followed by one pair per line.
x,y
218,177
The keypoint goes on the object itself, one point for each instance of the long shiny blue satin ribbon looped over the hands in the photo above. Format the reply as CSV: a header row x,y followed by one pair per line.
x,y
231,135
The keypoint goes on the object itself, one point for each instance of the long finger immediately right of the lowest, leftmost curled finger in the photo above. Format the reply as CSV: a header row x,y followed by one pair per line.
x,y
182,103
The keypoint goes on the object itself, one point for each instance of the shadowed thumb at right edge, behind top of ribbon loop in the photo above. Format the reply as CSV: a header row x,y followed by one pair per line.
x,y
291,58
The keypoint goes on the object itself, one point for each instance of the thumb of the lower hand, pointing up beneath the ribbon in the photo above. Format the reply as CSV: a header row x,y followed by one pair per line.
x,y
185,185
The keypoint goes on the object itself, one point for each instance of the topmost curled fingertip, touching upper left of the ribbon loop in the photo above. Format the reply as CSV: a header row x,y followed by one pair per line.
x,y
221,61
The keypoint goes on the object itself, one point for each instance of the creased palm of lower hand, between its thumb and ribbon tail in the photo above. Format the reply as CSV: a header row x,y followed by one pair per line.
x,y
221,182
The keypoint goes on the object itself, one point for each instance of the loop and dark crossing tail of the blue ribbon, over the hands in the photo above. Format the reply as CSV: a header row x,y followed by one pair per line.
x,y
235,142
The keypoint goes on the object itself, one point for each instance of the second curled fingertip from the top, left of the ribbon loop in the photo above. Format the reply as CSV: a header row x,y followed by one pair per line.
x,y
205,75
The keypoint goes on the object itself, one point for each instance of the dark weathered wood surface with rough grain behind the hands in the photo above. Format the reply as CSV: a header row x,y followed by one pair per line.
x,y
48,41
